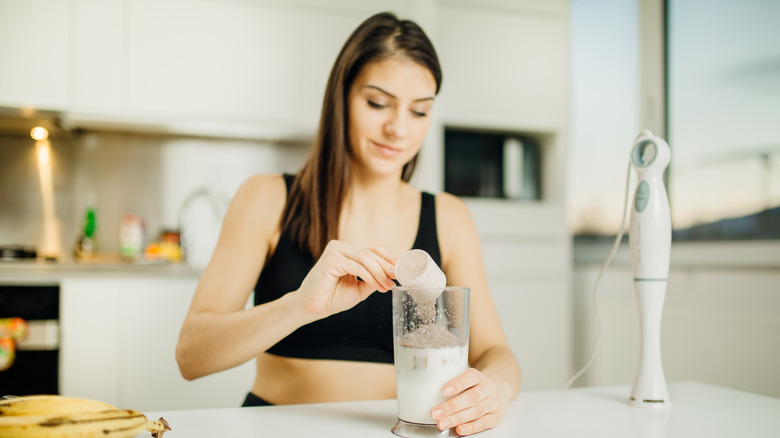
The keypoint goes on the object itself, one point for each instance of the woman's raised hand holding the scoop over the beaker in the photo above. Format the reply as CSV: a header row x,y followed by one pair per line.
x,y
333,286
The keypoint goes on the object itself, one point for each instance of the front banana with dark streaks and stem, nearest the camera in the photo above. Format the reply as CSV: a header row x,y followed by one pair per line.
x,y
115,423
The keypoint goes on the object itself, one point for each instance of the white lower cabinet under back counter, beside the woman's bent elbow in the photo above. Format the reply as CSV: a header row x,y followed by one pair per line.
x,y
118,345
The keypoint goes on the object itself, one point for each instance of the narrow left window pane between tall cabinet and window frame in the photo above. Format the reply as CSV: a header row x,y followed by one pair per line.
x,y
604,112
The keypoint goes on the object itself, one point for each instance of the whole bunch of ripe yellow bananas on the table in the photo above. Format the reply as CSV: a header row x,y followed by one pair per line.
x,y
44,416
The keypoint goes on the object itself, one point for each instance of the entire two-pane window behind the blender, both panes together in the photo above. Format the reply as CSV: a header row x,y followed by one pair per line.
x,y
722,116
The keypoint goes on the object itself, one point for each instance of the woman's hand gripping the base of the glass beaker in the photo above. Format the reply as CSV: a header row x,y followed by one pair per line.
x,y
476,404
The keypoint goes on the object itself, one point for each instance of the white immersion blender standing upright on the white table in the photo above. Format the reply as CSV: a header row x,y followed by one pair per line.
x,y
650,240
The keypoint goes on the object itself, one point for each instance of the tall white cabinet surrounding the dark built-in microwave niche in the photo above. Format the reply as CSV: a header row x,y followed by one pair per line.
x,y
505,68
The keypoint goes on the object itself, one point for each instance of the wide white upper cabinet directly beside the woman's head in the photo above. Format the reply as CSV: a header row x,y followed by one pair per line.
x,y
264,63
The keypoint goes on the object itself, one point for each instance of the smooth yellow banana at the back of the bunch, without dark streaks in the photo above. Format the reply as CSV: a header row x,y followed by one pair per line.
x,y
50,405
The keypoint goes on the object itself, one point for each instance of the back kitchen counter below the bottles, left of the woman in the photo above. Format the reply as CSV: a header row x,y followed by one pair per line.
x,y
45,272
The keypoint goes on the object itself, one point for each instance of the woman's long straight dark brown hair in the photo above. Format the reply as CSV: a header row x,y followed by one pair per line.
x,y
311,215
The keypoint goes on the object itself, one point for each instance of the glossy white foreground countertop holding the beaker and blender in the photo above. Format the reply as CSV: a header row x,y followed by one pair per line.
x,y
699,410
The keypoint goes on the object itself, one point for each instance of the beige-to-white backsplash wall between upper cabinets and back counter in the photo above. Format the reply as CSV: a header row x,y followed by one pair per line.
x,y
117,173
